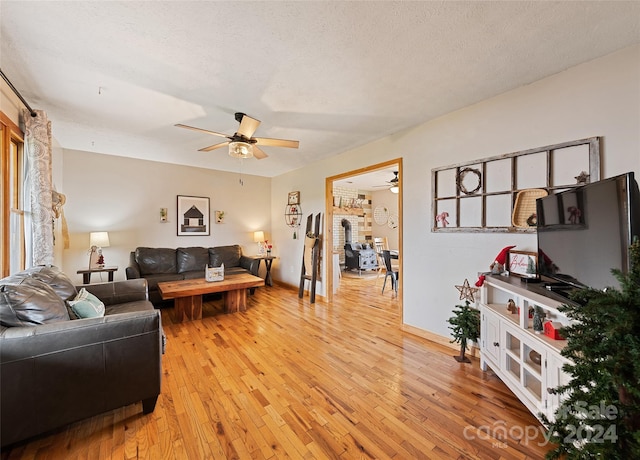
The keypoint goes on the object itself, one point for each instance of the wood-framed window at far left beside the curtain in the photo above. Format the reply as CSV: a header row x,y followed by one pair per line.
x,y
12,236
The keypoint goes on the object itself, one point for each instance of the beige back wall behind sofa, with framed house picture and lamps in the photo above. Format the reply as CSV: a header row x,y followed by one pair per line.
x,y
123,196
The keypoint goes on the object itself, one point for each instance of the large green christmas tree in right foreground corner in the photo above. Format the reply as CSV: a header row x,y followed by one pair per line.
x,y
600,413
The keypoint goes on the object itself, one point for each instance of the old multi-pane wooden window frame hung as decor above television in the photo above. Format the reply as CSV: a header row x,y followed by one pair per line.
x,y
461,192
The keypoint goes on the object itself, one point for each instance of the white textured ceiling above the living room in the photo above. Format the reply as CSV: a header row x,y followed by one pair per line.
x,y
114,77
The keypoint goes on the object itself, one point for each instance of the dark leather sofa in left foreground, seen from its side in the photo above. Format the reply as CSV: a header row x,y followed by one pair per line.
x,y
55,370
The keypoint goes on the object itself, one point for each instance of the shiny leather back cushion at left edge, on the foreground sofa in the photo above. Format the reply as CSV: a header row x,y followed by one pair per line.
x,y
30,302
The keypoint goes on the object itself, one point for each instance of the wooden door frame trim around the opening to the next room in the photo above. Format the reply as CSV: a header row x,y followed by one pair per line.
x,y
329,220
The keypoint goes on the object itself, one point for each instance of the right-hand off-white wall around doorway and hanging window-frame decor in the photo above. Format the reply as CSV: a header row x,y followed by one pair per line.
x,y
597,98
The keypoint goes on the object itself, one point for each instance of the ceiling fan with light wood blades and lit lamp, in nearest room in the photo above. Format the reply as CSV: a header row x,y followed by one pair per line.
x,y
242,144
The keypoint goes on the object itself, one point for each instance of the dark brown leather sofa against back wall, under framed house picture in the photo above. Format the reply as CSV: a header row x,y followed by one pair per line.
x,y
157,265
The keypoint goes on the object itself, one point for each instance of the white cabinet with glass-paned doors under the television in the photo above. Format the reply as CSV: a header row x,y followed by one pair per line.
x,y
509,346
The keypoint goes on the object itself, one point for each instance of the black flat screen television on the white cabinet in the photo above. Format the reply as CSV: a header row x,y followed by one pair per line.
x,y
585,232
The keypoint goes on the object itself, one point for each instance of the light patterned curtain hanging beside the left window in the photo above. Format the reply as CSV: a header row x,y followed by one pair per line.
x,y
39,235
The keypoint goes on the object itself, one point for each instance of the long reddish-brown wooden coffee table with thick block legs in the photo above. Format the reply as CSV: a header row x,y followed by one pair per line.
x,y
188,294
